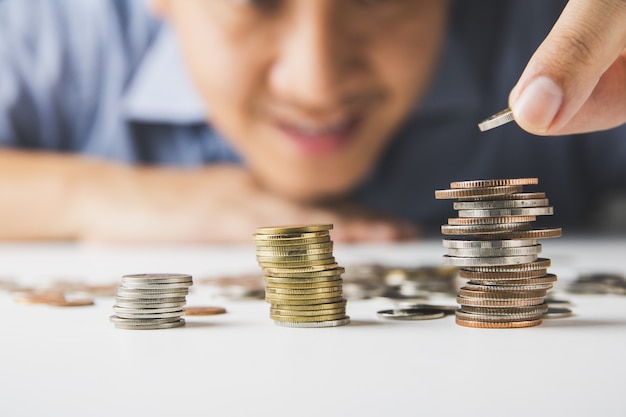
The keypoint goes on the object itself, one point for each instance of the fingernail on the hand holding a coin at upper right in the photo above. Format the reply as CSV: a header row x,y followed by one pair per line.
x,y
538,104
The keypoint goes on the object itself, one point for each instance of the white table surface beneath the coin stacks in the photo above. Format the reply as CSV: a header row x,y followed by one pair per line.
x,y
74,362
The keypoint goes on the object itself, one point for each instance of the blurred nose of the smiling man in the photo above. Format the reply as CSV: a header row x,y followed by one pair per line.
x,y
317,61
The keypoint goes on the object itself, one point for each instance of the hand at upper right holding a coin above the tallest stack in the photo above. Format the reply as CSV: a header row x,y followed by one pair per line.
x,y
576,81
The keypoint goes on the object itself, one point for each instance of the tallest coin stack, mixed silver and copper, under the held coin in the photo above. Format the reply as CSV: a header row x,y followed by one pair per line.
x,y
498,251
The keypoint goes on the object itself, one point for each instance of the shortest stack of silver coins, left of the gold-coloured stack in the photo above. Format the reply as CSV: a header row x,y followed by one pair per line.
x,y
151,301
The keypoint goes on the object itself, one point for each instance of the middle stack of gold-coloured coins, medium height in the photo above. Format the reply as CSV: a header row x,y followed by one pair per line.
x,y
303,282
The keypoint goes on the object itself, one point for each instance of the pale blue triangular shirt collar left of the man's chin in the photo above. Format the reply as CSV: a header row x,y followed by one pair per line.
x,y
161,90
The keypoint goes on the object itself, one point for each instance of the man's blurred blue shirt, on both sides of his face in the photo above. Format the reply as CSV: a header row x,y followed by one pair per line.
x,y
104,78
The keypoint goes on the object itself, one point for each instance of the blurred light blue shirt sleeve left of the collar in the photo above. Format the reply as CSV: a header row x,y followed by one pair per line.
x,y
63,66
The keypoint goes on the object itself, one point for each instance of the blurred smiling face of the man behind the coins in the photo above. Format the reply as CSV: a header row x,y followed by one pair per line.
x,y
309,92
